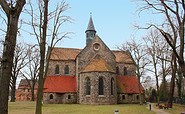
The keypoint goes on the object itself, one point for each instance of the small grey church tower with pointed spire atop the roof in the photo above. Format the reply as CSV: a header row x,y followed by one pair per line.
x,y
90,32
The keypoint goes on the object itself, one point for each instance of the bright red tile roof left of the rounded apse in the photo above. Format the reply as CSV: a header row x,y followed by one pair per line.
x,y
60,84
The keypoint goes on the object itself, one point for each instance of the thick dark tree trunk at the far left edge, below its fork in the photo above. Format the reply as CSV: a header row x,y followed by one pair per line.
x,y
7,62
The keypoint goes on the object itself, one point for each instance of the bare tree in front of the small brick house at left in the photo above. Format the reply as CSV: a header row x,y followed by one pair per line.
x,y
30,72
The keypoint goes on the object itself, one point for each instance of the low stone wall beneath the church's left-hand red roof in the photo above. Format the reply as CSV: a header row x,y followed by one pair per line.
x,y
59,98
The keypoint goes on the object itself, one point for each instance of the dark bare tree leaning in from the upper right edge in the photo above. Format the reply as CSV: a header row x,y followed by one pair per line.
x,y
174,11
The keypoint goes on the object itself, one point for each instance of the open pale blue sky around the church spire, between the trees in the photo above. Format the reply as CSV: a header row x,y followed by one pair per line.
x,y
113,20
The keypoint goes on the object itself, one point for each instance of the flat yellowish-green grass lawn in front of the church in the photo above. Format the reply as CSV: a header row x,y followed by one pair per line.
x,y
29,108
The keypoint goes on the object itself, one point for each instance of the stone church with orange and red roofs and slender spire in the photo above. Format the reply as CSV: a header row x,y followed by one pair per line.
x,y
92,75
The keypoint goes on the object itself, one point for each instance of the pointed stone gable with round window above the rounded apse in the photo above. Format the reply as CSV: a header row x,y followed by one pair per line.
x,y
94,48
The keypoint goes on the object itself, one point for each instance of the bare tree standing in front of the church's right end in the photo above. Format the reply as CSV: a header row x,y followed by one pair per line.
x,y
139,55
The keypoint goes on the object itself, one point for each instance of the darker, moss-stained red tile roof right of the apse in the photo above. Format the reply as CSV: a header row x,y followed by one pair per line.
x,y
128,84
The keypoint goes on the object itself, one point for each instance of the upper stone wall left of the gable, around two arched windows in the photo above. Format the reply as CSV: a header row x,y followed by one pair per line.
x,y
62,64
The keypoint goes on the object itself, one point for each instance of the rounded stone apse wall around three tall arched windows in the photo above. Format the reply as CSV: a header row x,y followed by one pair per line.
x,y
94,97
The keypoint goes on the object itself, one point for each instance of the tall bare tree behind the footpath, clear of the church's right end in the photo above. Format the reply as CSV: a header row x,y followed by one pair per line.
x,y
158,52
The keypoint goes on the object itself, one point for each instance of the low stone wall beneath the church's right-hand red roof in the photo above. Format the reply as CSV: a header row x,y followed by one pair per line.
x,y
129,98
